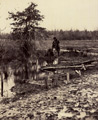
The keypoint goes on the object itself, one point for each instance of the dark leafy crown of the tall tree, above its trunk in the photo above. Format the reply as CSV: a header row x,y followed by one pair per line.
x,y
26,22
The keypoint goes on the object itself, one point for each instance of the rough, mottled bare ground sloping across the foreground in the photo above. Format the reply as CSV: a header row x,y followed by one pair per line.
x,y
77,100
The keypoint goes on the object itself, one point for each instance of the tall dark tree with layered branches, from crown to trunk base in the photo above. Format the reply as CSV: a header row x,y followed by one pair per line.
x,y
24,25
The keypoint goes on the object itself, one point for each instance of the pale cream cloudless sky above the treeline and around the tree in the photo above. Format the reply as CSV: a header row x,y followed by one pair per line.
x,y
58,14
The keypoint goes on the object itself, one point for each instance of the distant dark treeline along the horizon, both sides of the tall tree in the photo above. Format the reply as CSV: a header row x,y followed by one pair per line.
x,y
62,35
